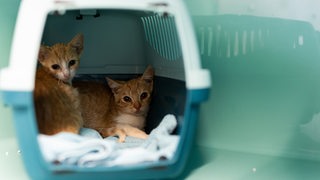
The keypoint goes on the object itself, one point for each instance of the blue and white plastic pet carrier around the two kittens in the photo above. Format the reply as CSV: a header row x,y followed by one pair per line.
x,y
122,37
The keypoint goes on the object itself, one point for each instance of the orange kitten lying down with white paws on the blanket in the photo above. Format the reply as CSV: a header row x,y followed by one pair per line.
x,y
119,108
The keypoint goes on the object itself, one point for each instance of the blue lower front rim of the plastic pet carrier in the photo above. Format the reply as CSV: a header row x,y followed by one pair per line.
x,y
27,132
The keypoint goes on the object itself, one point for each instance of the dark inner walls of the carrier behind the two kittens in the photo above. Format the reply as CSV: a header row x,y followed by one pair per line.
x,y
120,44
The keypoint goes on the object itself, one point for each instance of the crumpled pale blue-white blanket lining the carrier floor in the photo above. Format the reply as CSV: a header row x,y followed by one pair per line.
x,y
89,149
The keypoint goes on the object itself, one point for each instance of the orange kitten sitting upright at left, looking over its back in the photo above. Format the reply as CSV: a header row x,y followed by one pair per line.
x,y
57,104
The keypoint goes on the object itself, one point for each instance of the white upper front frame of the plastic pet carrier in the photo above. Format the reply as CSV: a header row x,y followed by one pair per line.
x,y
20,74
